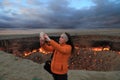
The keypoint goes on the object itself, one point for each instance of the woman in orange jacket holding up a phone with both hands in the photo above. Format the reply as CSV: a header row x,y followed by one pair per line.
x,y
62,52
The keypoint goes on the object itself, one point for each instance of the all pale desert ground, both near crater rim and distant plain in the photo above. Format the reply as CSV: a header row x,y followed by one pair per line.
x,y
16,68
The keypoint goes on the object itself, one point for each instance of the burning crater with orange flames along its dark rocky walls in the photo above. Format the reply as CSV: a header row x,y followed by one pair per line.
x,y
92,52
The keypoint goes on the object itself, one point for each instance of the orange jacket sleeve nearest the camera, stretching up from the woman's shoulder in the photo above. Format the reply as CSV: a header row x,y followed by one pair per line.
x,y
62,49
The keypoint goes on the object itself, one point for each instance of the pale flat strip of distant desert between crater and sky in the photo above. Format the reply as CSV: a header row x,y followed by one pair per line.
x,y
59,31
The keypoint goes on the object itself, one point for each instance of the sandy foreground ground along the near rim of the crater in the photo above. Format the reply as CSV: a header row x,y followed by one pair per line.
x,y
15,68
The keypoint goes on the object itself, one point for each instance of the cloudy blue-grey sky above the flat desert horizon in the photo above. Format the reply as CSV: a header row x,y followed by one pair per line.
x,y
63,14
